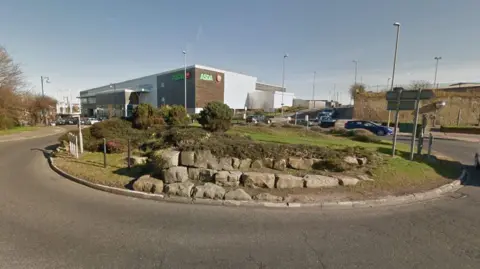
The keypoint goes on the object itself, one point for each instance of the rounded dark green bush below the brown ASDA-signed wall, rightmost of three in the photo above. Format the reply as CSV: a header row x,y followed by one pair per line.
x,y
216,116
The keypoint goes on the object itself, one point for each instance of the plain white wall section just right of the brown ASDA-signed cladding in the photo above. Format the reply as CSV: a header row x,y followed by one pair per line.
x,y
237,87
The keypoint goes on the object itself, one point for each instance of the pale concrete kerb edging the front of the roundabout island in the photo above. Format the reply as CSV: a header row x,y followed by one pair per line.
x,y
385,201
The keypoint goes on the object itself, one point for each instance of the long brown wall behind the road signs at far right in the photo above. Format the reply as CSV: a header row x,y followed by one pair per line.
x,y
372,106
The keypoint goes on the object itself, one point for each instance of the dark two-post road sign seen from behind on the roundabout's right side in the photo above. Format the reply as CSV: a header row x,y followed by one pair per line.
x,y
401,99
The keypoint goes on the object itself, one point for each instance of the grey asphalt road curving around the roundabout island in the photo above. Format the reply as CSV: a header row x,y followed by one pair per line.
x,y
49,222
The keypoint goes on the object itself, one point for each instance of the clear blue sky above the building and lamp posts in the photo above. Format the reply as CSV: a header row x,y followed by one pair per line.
x,y
90,43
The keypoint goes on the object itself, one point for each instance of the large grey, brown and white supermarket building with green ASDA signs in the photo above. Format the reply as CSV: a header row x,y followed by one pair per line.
x,y
204,84
